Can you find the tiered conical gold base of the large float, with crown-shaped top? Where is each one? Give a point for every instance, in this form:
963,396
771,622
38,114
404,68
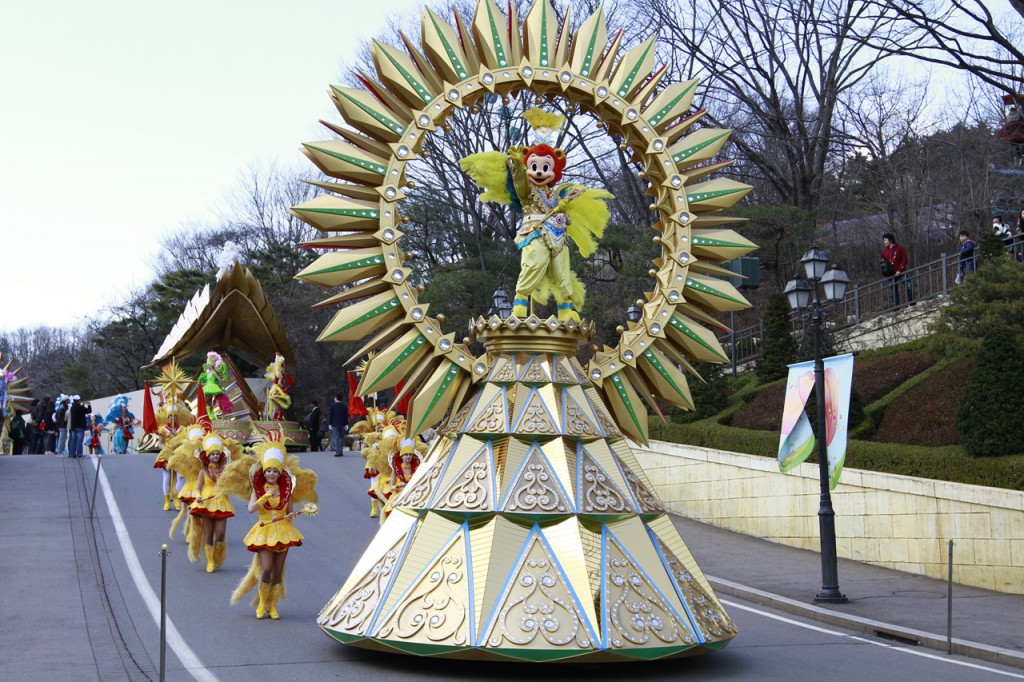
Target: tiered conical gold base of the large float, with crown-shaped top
530,533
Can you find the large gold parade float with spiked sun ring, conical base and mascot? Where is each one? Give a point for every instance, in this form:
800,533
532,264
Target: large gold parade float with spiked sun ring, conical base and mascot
529,532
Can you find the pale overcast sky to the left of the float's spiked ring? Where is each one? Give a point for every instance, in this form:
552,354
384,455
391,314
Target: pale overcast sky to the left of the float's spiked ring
122,120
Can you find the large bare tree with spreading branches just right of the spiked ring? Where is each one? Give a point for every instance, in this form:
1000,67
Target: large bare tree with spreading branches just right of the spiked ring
777,72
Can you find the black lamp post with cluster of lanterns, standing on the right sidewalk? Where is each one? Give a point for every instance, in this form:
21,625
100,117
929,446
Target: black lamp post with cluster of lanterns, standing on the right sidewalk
803,293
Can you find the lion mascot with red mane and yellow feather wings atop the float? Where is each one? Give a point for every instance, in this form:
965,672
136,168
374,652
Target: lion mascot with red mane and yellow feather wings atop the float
528,179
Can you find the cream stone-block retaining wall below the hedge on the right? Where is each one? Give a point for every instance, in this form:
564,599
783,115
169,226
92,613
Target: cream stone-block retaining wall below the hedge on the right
894,522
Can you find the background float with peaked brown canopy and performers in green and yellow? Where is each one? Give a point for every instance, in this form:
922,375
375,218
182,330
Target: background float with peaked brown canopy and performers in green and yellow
236,317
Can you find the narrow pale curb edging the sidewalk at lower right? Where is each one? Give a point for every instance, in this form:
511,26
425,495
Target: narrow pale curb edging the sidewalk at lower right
908,636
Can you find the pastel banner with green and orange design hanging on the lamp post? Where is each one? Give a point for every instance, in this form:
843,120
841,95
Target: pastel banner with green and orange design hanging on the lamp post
797,438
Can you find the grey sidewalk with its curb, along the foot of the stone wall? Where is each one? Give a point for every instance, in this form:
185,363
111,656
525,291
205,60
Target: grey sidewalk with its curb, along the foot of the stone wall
909,609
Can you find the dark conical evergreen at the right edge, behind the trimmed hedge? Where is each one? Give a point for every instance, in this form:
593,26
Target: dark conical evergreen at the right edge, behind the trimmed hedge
987,425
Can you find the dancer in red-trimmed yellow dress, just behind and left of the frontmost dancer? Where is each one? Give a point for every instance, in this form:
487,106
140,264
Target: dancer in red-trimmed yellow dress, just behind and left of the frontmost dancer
211,507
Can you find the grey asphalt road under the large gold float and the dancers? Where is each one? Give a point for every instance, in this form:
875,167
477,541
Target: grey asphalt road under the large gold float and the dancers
211,641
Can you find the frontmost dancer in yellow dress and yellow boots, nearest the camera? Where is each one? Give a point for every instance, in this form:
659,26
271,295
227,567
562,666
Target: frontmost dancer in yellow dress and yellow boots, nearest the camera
277,483
